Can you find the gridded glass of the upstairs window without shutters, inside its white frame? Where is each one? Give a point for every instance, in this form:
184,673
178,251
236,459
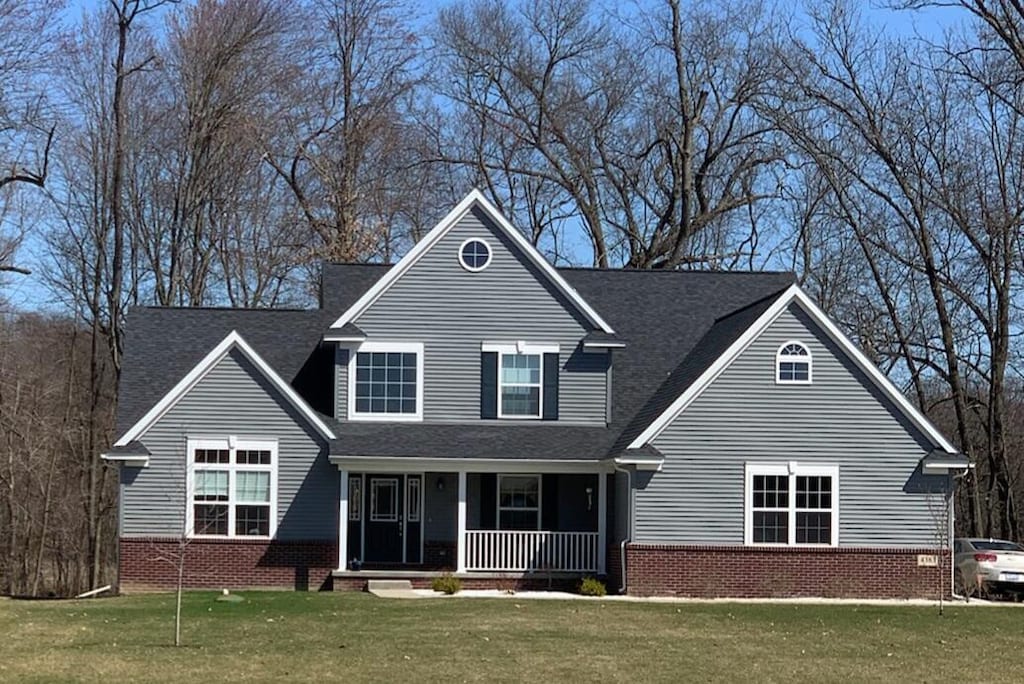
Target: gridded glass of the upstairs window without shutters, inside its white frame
386,382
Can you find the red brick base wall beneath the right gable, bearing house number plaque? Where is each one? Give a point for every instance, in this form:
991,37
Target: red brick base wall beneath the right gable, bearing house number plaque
750,573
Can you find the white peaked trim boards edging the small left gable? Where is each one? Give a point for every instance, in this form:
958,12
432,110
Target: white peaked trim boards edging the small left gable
200,371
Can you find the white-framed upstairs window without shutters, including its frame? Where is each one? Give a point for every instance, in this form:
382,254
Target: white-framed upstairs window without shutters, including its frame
386,381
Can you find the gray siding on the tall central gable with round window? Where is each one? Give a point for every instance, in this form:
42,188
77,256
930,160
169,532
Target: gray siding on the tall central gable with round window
452,312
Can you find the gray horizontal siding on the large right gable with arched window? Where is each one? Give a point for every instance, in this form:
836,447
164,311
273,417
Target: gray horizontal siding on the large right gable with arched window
841,419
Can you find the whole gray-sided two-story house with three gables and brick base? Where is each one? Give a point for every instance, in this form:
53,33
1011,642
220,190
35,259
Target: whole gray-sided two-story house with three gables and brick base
473,408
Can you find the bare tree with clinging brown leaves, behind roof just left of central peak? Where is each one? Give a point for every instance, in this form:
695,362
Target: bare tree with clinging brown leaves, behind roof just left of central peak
346,148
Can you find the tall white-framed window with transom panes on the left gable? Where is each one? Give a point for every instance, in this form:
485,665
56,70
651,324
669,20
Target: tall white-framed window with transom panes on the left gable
233,488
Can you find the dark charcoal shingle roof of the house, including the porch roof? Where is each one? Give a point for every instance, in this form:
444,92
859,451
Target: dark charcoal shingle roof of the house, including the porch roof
674,325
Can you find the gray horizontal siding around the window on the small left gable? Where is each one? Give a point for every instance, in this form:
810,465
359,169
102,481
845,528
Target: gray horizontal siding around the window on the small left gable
233,400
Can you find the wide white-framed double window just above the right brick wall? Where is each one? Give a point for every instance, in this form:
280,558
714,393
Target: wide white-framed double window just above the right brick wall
792,504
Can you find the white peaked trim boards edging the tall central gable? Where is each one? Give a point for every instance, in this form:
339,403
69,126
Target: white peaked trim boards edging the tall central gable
439,232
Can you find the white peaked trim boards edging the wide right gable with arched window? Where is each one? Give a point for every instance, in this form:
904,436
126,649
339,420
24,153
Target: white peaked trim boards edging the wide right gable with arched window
793,294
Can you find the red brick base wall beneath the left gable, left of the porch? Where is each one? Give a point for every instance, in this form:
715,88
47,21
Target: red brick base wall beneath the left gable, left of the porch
227,565
